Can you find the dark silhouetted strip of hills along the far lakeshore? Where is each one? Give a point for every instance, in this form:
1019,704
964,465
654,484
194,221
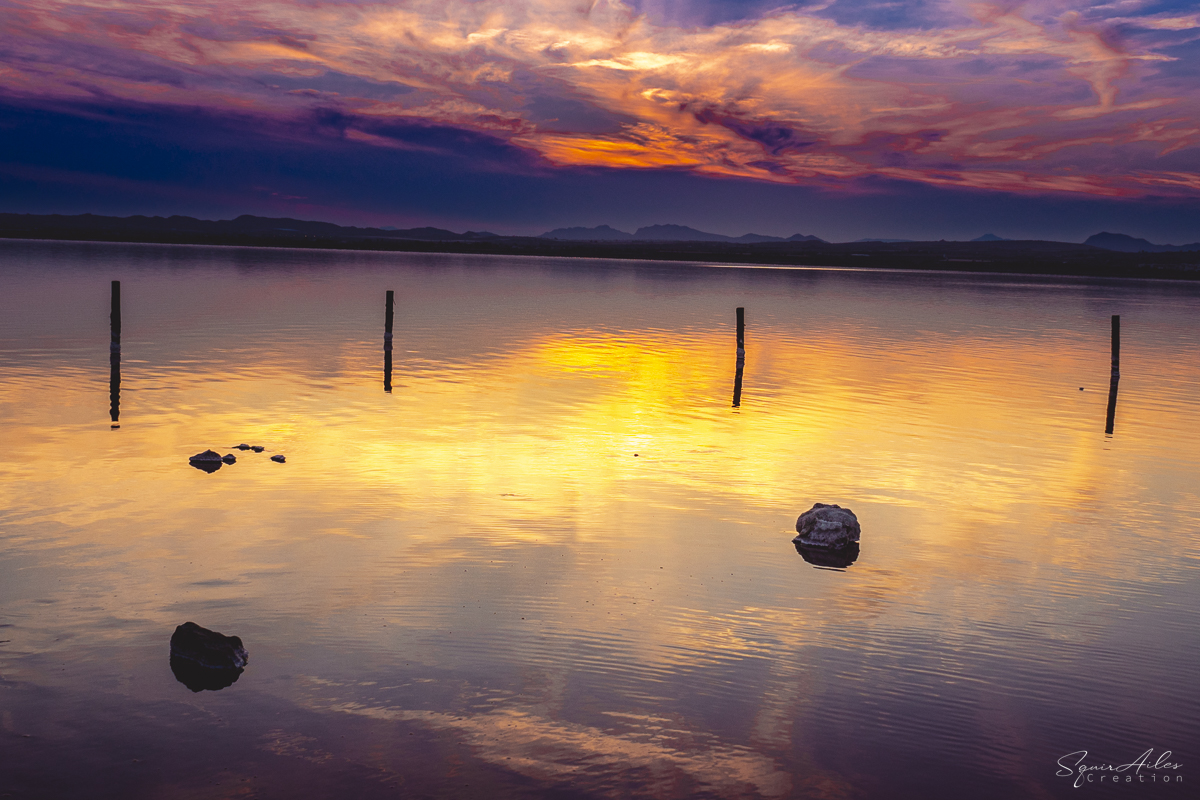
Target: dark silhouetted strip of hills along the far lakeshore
1017,257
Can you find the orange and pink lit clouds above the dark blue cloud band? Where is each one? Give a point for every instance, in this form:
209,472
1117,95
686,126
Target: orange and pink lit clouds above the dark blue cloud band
1031,99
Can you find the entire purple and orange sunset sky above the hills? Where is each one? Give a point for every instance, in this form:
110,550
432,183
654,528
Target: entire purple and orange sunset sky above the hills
927,119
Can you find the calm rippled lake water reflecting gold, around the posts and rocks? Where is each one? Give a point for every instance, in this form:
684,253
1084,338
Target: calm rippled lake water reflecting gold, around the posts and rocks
556,562
